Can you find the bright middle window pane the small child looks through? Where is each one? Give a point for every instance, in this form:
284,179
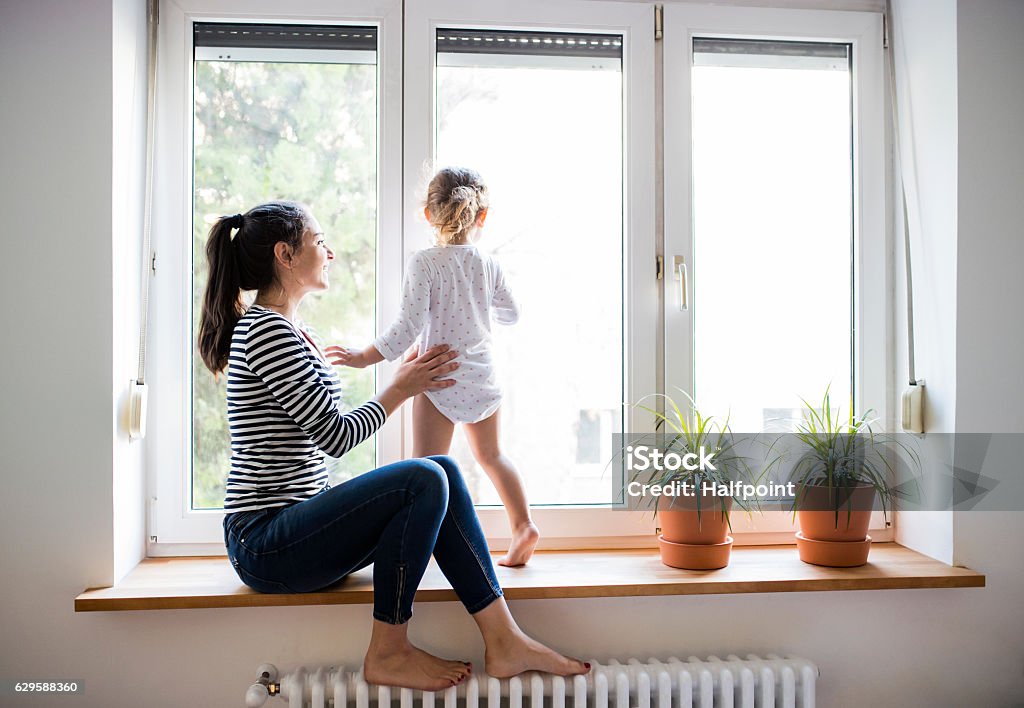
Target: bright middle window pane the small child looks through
546,134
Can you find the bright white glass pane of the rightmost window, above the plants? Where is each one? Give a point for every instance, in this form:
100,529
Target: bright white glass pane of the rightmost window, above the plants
774,232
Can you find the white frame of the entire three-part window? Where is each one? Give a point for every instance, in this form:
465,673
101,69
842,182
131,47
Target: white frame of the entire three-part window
406,65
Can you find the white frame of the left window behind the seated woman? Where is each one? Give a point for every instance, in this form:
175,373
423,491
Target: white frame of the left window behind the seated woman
174,528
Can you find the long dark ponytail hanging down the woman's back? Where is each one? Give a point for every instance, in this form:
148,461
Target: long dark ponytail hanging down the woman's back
223,302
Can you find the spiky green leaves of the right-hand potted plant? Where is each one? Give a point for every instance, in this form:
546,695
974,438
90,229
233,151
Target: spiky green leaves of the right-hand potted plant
844,454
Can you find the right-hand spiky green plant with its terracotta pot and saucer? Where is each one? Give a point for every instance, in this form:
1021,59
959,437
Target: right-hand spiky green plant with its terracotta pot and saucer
844,469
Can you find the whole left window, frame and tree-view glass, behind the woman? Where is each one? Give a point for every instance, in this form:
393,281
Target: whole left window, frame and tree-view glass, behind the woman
298,106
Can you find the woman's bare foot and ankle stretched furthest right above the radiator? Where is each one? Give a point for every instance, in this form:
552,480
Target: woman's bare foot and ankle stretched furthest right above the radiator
509,652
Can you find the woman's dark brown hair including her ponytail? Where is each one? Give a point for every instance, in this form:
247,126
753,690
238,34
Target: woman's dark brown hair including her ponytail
242,263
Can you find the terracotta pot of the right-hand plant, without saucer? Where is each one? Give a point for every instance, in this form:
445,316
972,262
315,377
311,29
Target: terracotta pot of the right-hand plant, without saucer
850,524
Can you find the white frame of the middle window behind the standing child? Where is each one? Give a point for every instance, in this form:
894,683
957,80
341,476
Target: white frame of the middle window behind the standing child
583,526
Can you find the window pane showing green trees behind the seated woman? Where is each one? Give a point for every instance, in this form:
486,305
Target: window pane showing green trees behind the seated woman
308,133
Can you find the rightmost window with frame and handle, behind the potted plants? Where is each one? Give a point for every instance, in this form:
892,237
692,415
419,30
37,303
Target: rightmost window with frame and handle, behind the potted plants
776,209
